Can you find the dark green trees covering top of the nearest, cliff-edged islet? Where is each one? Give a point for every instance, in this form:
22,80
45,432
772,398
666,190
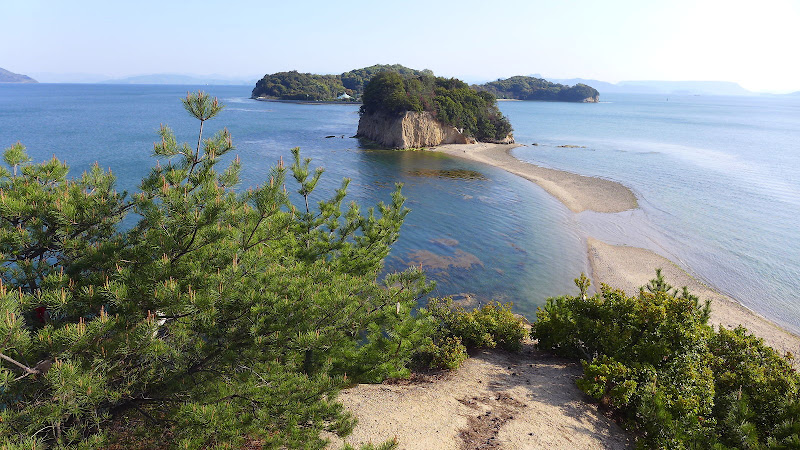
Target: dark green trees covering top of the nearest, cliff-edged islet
450,100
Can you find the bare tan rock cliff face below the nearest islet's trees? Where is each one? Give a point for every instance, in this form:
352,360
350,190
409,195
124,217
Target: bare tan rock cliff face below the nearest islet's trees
409,130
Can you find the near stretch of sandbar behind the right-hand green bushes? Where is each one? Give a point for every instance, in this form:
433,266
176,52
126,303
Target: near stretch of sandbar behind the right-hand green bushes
628,268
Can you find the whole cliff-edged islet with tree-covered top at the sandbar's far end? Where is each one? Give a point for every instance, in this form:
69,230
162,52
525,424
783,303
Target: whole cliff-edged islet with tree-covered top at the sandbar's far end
423,111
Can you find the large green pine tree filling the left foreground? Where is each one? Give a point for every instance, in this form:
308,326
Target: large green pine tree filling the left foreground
220,316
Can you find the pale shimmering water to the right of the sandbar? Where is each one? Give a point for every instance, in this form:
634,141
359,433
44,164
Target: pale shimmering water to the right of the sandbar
717,179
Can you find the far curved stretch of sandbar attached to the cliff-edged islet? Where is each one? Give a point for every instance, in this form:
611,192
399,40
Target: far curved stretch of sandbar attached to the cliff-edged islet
577,192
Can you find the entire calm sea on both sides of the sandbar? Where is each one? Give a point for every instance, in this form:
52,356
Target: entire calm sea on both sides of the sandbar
716,178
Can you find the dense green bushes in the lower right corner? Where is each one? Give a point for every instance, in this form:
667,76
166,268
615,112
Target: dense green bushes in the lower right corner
675,380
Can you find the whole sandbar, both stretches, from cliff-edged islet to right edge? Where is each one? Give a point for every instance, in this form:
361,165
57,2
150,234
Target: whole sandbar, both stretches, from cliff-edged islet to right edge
624,267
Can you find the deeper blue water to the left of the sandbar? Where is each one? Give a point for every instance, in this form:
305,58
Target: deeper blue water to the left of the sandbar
500,238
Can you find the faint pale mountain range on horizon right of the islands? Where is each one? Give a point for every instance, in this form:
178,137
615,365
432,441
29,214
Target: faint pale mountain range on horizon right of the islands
662,87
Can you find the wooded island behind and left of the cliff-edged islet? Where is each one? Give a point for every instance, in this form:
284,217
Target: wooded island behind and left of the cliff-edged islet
311,87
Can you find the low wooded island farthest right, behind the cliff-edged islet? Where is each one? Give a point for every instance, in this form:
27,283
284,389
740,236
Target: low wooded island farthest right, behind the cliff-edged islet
530,88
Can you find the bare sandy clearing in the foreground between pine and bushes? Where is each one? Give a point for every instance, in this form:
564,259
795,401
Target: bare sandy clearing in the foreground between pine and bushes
495,400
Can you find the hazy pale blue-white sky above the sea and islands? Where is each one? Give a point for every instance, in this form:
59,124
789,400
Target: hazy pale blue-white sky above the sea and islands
752,43
